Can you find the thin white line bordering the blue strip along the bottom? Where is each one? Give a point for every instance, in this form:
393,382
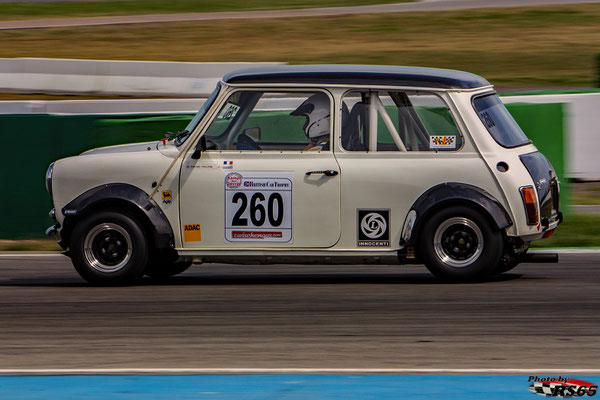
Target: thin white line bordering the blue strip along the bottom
109,371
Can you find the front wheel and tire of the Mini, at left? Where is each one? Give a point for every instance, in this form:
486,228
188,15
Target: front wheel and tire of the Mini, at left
109,248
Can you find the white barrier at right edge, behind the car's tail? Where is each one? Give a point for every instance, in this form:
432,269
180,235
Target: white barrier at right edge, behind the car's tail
582,119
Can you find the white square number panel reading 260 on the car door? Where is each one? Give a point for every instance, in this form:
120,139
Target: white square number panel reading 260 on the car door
258,207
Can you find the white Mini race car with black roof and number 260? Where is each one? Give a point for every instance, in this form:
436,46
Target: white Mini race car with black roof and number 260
315,164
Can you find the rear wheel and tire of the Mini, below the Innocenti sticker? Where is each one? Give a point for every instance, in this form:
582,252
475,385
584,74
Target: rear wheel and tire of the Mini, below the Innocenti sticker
459,243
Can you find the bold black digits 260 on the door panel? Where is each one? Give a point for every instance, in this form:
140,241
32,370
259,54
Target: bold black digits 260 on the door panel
258,213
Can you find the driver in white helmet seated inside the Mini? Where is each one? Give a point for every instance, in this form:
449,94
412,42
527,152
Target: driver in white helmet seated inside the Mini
316,110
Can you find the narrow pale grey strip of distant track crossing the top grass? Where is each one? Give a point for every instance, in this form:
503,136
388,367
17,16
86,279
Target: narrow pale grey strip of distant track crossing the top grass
427,5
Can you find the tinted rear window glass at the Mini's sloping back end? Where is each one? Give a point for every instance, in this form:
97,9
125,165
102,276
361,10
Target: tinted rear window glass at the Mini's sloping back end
498,121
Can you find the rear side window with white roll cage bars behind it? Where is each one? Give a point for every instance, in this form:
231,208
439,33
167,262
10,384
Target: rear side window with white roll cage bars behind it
397,121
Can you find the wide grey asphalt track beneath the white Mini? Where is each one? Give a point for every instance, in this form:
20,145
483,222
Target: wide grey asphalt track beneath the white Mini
542,316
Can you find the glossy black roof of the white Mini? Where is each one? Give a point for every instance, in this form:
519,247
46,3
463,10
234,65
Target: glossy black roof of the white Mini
358,75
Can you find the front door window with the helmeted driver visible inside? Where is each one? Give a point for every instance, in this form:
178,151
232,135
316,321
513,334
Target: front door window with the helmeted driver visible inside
254,120
